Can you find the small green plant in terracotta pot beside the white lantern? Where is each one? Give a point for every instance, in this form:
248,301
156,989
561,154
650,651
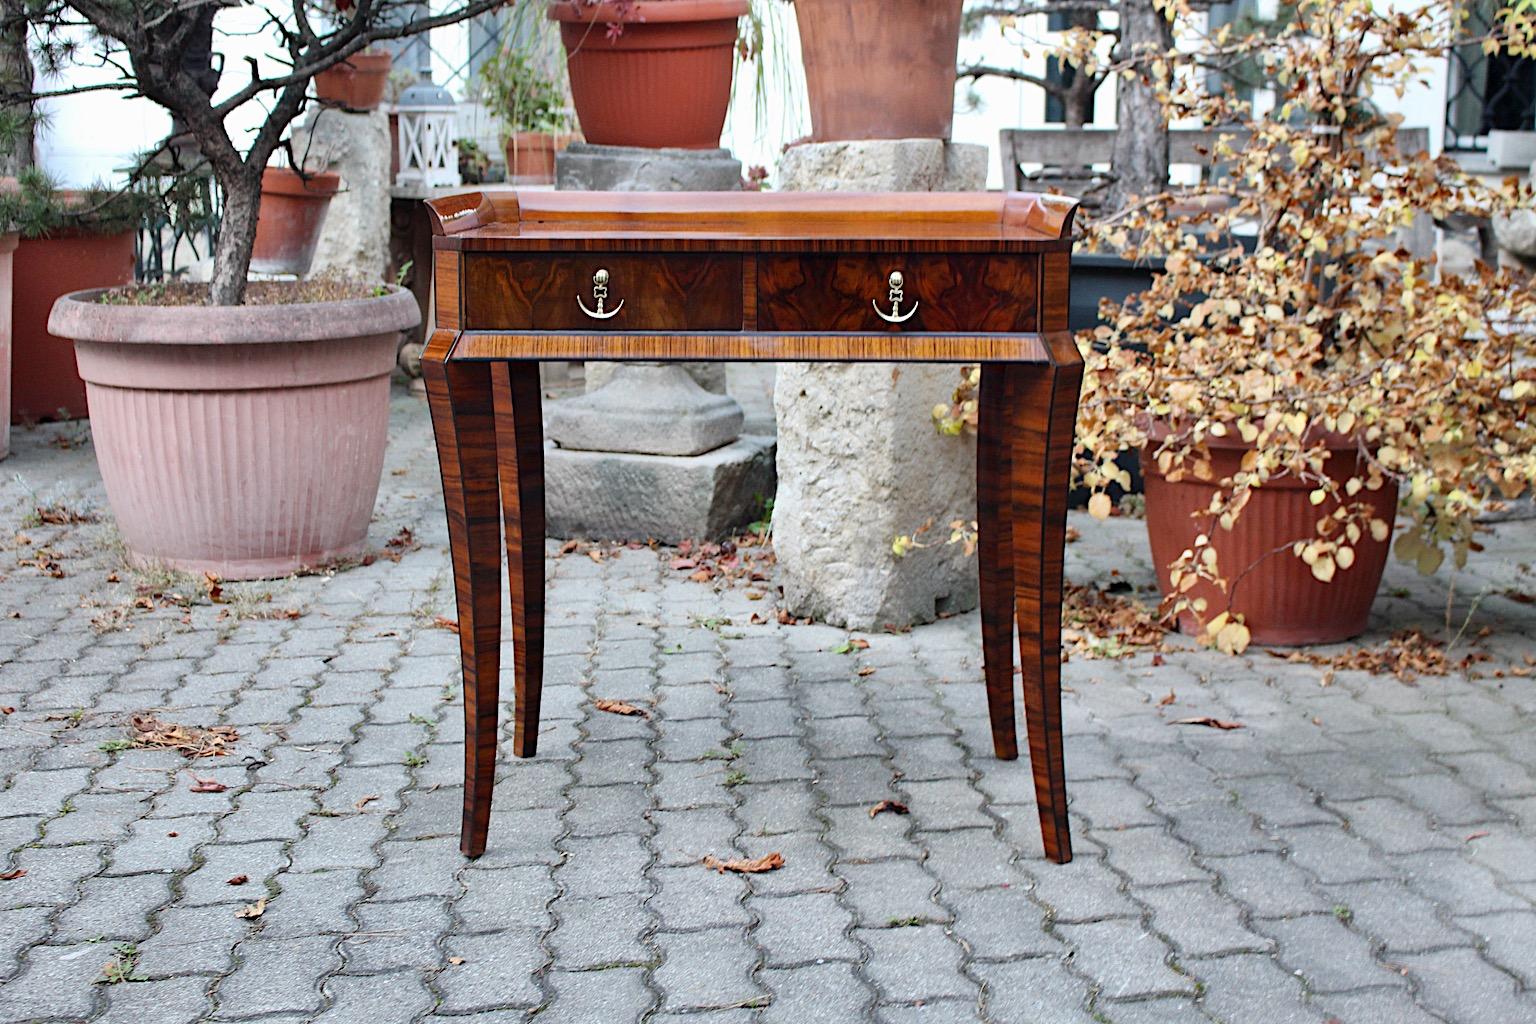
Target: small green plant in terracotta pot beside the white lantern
532,111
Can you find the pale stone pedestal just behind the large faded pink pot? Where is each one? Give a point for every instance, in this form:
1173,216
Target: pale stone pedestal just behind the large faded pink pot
356,237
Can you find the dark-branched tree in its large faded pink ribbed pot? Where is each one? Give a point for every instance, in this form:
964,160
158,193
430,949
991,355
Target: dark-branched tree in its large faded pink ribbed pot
240,428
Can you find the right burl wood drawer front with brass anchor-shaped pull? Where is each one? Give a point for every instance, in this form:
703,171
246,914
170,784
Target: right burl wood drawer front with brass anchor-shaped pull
861,292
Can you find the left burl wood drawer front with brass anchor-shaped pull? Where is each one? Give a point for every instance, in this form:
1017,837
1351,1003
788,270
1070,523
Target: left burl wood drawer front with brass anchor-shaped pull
603,292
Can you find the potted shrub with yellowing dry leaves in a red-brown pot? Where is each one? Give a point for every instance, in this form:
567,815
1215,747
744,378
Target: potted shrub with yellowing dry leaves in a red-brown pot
1288,394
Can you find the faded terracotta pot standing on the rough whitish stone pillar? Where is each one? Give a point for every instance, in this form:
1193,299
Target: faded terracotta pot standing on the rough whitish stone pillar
879,68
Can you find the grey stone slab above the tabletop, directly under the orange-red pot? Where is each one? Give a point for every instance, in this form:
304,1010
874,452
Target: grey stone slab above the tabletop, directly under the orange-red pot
589,168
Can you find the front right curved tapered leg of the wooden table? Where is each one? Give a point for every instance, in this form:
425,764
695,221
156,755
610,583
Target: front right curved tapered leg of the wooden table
1045,418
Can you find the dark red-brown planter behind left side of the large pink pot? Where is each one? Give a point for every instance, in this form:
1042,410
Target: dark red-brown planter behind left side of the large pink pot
44,378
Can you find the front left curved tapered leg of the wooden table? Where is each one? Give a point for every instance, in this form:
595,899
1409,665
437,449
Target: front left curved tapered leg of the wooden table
463,420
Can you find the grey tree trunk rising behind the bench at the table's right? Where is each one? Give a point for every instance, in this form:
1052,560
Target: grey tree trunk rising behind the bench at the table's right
1140,154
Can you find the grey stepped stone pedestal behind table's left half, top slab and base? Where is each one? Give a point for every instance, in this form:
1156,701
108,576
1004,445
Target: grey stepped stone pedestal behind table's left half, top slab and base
649,452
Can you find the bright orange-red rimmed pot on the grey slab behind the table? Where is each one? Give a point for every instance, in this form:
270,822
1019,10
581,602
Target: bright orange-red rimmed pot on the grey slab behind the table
664,82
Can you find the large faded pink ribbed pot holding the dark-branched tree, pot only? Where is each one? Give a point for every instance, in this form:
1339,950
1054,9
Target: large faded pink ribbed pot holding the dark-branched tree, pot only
243,441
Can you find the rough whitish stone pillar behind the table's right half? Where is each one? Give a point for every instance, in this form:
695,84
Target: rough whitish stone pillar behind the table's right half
859,460
